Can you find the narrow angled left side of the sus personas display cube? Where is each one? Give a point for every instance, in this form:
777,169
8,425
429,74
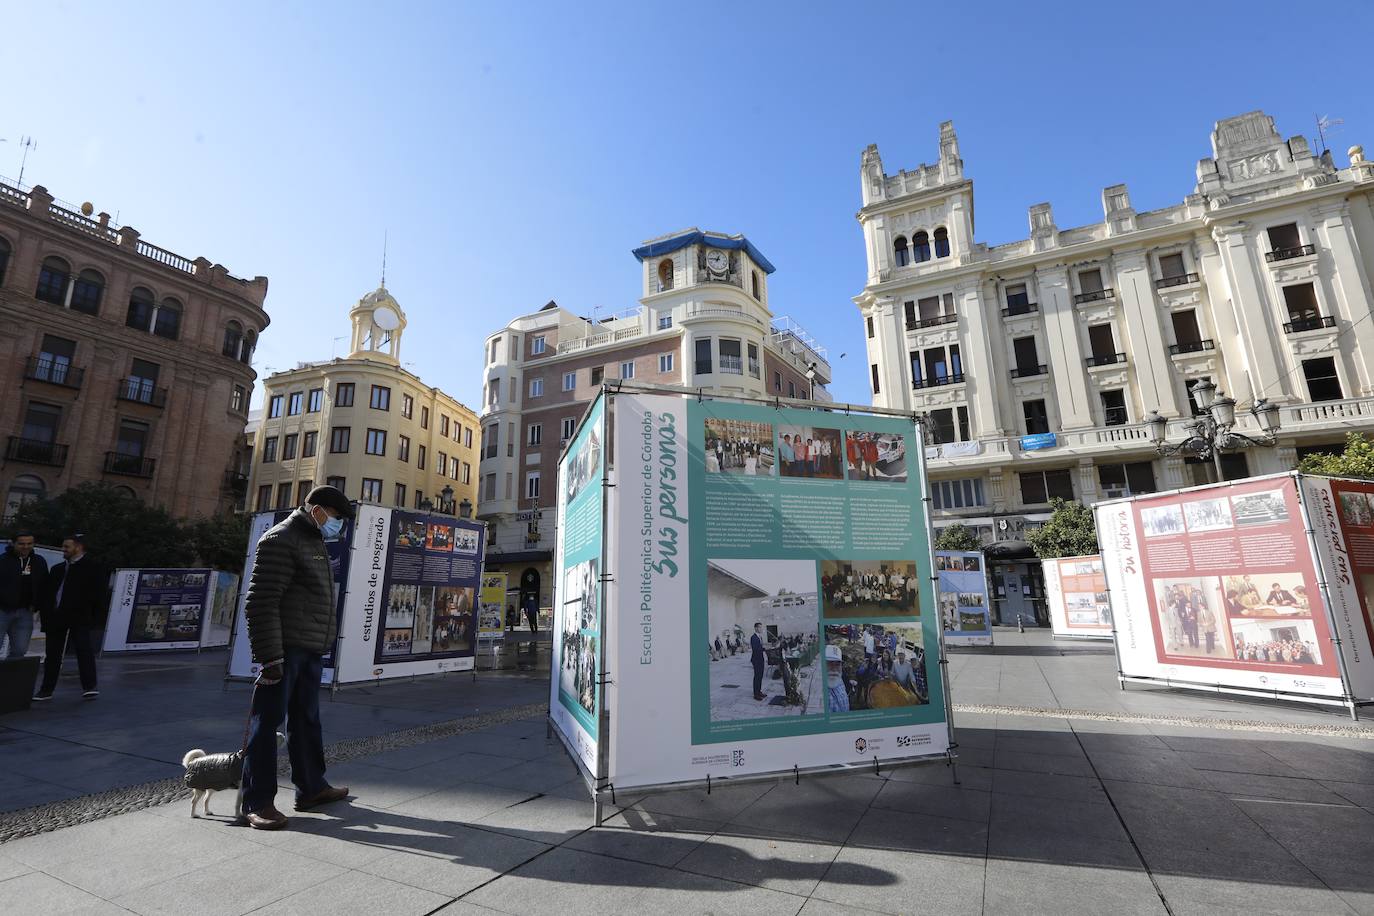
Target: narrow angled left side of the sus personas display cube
575,701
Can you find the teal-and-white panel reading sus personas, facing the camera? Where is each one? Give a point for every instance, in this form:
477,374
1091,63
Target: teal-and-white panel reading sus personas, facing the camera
773,605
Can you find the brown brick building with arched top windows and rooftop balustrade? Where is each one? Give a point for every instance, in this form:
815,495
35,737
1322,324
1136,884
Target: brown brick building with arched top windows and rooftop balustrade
122,362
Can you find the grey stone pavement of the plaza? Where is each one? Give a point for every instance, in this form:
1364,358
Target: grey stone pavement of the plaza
1089,801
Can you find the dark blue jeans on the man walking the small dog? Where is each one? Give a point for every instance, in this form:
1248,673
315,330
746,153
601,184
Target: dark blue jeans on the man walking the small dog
296,700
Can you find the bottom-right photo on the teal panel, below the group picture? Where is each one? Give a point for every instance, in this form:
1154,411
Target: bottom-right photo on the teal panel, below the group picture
875,667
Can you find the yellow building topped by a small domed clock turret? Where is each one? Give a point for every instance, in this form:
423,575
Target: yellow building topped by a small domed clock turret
365,425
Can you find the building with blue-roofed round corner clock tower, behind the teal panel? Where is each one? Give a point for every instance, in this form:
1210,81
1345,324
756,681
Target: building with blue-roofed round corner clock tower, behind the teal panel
704,321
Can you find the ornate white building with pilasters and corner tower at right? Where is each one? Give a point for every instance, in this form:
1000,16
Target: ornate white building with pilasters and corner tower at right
1038,360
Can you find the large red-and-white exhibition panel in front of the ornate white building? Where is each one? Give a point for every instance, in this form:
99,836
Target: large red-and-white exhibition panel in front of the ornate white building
1221,586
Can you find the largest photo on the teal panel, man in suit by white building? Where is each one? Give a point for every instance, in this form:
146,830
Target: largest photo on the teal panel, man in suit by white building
769,616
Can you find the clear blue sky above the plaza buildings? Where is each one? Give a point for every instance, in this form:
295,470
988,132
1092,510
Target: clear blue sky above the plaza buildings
517,153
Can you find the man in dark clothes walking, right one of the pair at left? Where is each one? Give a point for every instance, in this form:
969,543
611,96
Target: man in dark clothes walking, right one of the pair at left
72,613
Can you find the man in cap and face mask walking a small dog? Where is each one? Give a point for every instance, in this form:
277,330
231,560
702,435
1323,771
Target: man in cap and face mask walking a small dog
292,626
